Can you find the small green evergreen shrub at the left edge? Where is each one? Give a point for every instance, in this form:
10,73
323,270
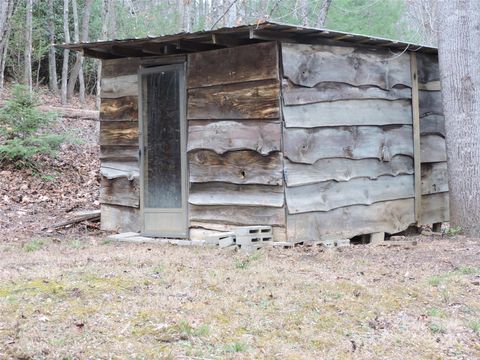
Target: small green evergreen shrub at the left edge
24,130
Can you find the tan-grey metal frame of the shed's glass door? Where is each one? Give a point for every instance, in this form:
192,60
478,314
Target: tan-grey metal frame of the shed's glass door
151,69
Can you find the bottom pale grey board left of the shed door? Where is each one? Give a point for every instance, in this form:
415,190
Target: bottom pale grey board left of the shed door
119,218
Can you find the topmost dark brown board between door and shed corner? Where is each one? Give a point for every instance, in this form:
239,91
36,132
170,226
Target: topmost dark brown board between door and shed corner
232,65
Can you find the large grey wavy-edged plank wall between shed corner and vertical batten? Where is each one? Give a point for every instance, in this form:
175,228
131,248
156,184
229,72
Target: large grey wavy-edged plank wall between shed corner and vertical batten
348,141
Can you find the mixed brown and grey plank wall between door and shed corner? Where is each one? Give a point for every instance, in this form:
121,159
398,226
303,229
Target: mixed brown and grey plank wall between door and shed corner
234,139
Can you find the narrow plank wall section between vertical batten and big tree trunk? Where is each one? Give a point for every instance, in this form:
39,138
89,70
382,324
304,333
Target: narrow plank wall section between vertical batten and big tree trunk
434,177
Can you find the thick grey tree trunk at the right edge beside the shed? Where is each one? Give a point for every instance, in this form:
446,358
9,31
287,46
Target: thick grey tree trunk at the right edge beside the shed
459,56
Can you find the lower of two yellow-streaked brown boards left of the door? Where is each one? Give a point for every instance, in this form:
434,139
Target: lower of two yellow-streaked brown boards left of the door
118,133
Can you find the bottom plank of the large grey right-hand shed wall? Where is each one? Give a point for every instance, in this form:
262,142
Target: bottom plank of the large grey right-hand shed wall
344,223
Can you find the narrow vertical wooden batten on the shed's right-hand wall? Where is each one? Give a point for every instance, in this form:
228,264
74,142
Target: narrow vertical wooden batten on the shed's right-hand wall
416,137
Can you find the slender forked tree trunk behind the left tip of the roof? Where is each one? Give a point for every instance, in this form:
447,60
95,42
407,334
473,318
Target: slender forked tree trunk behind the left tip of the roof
77,70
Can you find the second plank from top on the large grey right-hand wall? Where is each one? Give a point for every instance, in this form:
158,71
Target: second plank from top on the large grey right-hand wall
334,91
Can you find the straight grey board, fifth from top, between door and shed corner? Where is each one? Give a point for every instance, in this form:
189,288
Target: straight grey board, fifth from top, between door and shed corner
232,194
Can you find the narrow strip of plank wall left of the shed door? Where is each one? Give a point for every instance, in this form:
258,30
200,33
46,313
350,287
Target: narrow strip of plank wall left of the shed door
119,144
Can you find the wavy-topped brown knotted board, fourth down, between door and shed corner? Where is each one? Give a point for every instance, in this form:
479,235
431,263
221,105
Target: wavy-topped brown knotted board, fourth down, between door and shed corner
237,167
